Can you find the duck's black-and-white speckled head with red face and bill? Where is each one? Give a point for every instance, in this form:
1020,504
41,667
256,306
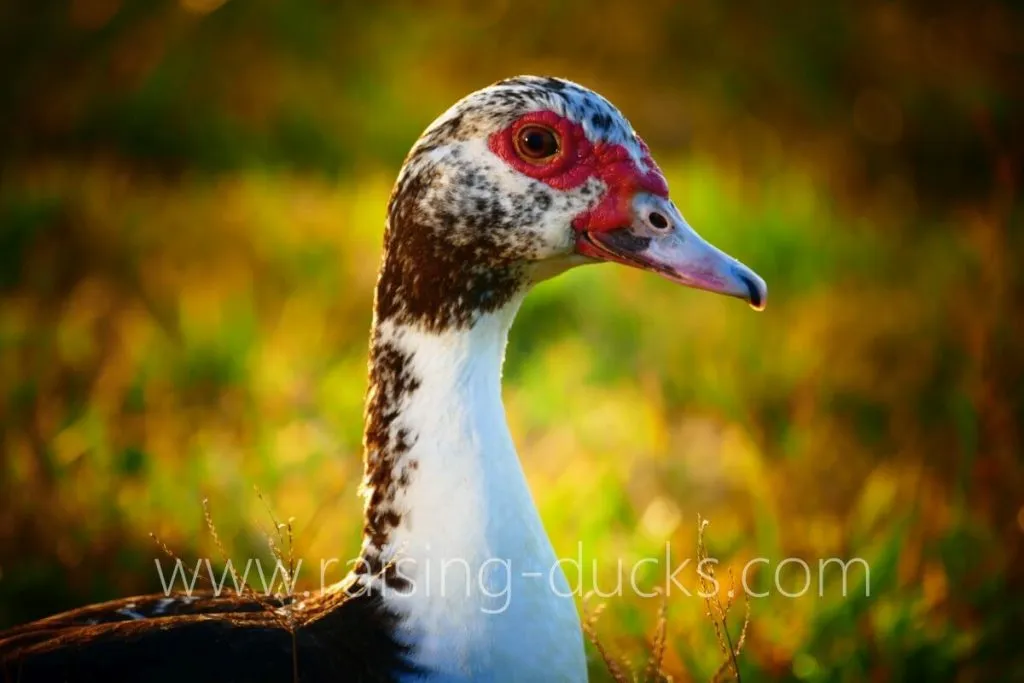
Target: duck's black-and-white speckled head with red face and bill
522,181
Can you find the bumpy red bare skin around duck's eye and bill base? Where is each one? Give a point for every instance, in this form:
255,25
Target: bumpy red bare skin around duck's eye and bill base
577,161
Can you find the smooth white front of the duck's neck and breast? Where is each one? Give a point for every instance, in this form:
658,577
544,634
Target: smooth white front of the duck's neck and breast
487,600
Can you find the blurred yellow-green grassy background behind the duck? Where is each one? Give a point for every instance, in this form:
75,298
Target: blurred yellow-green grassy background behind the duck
192,205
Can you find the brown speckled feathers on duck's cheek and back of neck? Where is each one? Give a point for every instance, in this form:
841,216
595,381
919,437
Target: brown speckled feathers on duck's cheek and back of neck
452,254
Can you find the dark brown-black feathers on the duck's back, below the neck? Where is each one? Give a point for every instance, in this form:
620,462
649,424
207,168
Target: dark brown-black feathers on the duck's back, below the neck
231,639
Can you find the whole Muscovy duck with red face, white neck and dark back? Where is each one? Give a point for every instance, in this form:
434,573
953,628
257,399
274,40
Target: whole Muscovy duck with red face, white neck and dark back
456,580
